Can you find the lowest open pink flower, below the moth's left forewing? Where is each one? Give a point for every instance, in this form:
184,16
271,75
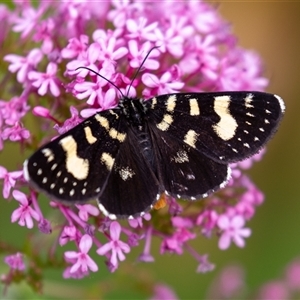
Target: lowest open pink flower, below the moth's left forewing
82,261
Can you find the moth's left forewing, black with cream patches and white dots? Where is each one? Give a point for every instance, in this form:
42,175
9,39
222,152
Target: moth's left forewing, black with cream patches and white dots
75,166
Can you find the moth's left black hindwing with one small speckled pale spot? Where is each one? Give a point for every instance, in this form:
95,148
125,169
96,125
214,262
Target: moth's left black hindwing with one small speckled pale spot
132,187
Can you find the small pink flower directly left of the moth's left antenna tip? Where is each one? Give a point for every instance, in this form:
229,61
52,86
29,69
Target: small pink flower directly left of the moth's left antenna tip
45,81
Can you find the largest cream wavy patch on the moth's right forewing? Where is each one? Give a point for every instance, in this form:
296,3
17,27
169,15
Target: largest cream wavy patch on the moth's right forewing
226,127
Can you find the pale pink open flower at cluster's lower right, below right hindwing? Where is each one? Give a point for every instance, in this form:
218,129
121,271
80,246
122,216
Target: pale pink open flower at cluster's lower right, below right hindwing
232,230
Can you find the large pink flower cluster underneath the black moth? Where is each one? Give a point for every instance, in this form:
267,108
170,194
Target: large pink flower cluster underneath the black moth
197,52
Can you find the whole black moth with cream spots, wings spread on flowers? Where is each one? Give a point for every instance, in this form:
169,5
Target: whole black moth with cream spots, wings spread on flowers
178,144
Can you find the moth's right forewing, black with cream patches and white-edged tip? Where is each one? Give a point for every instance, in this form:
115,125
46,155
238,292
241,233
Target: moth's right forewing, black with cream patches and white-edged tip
225,126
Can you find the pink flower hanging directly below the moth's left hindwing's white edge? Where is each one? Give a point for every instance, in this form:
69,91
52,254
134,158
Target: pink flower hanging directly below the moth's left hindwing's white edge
116,246
